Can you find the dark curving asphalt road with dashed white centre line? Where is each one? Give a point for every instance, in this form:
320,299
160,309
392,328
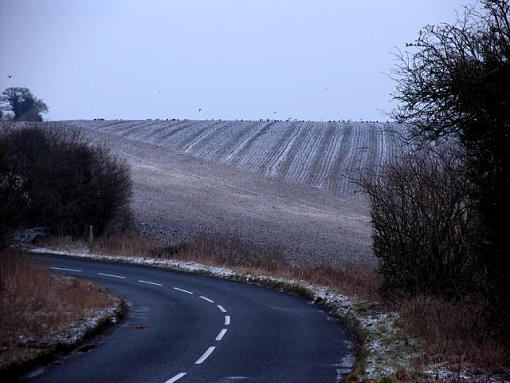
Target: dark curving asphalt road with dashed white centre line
190,328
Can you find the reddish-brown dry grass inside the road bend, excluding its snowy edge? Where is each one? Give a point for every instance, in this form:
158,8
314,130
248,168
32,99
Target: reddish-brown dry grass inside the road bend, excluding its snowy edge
36,304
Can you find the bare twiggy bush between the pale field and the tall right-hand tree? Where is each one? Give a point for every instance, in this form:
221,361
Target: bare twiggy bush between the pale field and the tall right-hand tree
424,225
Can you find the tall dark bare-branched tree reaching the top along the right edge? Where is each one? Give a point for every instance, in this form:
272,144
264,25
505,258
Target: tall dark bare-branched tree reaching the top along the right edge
455,81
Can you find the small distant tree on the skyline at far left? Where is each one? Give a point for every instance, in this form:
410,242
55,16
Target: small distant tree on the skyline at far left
23,104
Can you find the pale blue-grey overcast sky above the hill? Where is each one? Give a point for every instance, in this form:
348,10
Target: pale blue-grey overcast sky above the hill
314,59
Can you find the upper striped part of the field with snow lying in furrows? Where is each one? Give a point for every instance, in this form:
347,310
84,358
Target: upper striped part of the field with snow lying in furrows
324,155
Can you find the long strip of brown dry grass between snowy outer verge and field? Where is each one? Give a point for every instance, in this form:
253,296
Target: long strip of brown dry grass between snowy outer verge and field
352,278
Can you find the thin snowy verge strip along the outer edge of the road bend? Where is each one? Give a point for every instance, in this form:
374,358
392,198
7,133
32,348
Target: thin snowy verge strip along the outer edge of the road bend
386,348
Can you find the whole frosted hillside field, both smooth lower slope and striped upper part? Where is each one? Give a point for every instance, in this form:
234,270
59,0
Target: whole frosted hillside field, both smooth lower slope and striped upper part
284,184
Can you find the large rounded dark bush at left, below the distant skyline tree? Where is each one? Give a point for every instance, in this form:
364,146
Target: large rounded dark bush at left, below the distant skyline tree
68,183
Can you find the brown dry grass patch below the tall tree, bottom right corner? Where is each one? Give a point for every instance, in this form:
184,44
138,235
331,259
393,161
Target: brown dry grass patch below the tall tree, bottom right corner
456,333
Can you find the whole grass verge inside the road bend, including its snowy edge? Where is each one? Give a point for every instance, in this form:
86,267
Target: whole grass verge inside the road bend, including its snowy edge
44,313
